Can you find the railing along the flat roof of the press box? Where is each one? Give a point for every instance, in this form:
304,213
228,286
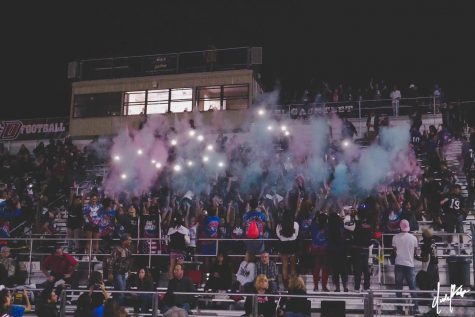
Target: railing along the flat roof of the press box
162,64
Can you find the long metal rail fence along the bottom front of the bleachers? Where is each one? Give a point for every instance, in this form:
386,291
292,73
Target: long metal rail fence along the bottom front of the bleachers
368,303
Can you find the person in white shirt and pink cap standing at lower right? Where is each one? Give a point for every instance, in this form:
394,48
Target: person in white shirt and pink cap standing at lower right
405,247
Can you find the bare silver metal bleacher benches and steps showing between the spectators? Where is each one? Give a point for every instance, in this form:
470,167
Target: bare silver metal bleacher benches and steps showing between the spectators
382,279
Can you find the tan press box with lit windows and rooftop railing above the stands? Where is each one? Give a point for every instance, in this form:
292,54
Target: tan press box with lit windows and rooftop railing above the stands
111,94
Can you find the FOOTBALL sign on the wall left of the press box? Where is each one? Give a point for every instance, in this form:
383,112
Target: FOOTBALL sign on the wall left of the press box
33,129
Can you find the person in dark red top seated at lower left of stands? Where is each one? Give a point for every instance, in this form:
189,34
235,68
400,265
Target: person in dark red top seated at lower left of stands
60,266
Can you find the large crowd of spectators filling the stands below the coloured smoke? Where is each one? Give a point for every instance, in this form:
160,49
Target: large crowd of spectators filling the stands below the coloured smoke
306,224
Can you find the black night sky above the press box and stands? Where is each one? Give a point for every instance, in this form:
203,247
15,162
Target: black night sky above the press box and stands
424,41
